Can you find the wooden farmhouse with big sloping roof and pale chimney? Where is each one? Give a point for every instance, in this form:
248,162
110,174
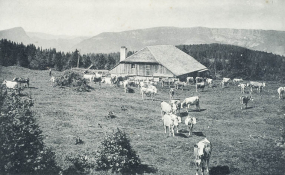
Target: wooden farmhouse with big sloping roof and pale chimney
158,61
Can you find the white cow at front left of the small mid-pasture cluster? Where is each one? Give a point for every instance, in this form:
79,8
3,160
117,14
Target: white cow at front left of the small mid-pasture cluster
171,121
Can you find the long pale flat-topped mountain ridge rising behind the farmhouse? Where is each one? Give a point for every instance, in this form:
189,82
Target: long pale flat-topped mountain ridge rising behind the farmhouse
261,40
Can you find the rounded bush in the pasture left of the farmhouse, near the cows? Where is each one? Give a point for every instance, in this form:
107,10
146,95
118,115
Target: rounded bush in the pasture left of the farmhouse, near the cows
73,80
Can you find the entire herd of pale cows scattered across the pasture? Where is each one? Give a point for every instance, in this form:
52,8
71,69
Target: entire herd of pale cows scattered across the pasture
170,112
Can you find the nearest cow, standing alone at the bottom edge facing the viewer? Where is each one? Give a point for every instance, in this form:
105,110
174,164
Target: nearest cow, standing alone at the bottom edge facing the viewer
202,154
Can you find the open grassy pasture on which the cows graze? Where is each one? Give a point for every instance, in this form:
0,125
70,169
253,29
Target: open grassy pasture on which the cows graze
243,140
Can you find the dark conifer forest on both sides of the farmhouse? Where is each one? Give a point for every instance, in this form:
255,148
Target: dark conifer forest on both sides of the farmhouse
222,60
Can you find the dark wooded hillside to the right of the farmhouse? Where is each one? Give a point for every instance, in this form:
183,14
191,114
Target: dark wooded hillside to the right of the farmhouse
234,61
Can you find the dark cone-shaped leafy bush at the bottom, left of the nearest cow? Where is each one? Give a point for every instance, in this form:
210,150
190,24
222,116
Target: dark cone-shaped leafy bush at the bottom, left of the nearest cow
117,155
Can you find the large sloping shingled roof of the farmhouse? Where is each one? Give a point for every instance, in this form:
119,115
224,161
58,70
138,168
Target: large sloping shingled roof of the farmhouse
175,60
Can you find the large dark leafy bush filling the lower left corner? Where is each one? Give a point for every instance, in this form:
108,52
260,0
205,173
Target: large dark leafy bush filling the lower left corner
22,149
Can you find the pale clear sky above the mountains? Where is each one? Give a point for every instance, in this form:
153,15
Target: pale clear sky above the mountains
92,17
